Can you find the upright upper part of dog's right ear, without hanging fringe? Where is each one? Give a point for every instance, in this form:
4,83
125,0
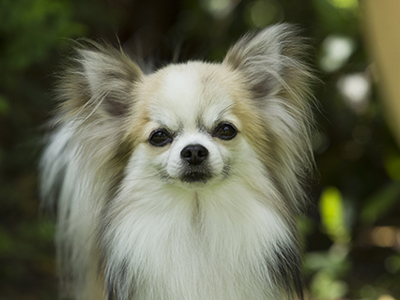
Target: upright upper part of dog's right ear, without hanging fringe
272,61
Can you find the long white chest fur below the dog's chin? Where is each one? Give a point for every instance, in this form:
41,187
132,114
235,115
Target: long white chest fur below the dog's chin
214,244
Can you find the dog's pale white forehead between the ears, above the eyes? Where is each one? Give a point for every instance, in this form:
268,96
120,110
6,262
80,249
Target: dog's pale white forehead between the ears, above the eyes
190,95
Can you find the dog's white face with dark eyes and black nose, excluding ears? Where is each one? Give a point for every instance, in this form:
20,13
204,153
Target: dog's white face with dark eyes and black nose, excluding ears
191,134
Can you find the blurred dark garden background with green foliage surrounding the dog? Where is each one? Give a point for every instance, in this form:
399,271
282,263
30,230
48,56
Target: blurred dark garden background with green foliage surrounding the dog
352,228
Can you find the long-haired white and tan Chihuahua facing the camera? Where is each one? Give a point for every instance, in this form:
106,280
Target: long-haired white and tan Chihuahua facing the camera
184,183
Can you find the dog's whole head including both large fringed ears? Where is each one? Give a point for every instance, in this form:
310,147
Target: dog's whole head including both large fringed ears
197,124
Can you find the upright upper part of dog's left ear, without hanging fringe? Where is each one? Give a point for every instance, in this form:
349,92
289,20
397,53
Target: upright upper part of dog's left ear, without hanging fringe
99,81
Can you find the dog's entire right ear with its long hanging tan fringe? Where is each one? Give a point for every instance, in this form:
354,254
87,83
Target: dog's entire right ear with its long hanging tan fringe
272,64
